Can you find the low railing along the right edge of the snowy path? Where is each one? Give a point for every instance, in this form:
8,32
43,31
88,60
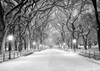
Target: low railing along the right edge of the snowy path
90,54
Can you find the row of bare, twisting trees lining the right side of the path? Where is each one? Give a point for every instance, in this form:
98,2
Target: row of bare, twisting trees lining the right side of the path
80,21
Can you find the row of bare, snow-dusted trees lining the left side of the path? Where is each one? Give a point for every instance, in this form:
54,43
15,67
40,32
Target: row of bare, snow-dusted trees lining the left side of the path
18,20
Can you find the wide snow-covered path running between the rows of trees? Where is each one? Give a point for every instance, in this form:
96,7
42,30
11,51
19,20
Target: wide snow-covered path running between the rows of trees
51,60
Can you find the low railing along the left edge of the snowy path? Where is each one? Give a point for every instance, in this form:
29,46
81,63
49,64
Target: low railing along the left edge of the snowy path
14,55
